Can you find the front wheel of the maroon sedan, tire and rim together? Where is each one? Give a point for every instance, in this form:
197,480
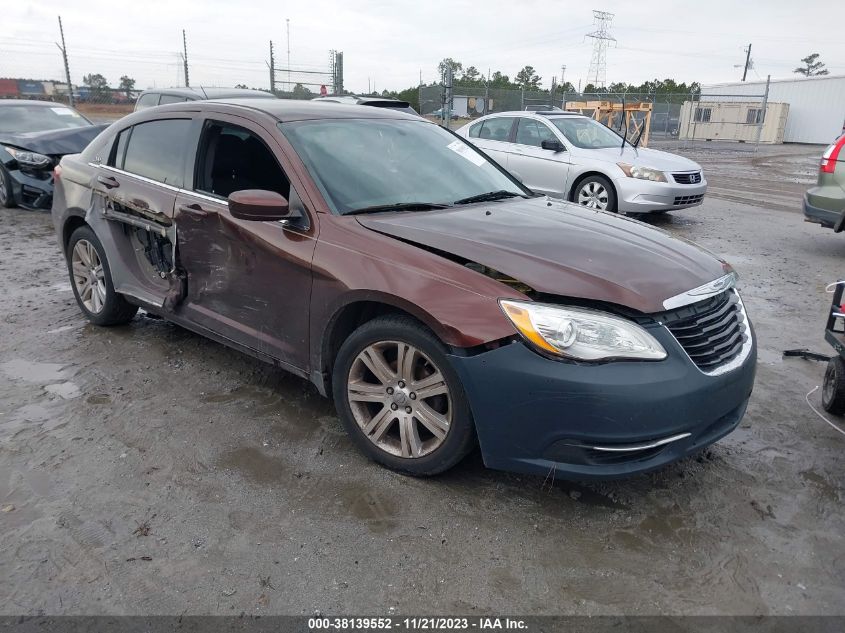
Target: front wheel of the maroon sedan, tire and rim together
399,398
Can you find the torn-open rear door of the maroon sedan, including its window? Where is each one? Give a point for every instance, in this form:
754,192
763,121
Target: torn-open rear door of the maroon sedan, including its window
134,195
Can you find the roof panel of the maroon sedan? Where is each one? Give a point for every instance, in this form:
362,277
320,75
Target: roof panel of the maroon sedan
296,110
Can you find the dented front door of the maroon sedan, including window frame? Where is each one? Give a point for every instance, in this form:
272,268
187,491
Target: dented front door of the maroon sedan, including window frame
248,280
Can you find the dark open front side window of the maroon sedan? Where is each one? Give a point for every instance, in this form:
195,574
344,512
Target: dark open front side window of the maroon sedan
232,158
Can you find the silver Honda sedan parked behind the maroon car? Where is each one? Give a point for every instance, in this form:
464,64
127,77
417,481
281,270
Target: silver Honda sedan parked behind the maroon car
571,156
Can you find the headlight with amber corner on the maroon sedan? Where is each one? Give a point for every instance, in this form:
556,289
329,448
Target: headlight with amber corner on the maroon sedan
581,334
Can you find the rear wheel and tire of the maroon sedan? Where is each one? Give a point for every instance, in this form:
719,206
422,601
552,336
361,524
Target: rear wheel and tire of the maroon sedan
90,278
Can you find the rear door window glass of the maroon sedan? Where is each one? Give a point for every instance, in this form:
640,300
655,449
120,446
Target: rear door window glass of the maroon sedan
157,150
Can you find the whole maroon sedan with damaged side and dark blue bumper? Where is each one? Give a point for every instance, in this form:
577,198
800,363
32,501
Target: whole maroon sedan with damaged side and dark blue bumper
437,300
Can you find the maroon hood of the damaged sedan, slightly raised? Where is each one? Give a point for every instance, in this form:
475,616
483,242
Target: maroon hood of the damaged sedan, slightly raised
561,249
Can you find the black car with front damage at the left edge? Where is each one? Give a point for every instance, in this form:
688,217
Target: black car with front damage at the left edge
34,135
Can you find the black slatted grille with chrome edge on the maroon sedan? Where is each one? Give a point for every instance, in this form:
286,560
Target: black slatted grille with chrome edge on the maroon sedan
711,331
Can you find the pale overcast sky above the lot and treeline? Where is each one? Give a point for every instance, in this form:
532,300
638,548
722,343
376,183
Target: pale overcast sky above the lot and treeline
389,44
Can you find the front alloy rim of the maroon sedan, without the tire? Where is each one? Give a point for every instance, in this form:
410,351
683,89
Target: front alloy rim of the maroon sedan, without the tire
399,399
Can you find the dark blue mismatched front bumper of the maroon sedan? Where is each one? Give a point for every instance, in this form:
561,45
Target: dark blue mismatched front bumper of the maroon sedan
536,415
